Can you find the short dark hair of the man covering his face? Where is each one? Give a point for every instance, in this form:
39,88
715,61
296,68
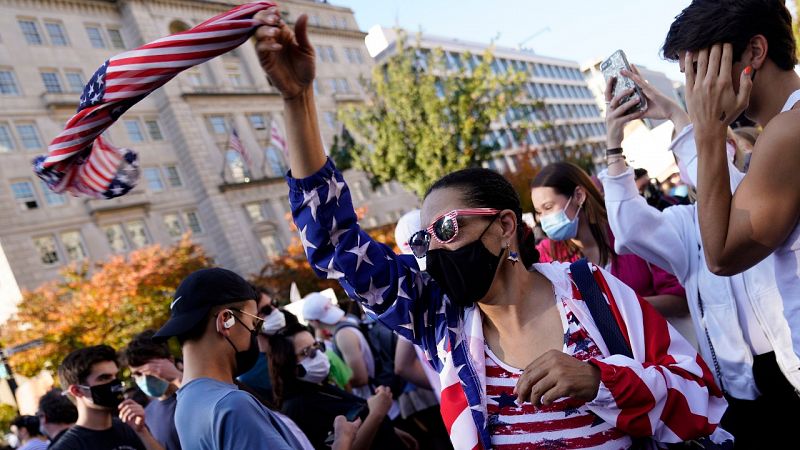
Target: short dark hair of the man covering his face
707,22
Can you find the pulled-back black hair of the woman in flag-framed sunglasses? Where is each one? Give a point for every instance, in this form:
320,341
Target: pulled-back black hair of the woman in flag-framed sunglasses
484,188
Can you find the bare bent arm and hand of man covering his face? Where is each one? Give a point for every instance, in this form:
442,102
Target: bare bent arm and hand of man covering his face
742,229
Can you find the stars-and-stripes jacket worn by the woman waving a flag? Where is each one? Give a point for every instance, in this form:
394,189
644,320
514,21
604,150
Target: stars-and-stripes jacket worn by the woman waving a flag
666,392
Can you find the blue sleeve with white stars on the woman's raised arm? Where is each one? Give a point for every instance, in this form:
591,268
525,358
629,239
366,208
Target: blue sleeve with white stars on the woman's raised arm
388,285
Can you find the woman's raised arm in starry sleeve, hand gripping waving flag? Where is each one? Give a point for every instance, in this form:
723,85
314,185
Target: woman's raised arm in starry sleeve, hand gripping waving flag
388,285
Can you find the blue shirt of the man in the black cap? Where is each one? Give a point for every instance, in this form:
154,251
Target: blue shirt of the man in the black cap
212,415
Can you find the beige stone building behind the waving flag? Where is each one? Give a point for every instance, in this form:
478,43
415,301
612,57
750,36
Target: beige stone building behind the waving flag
190,179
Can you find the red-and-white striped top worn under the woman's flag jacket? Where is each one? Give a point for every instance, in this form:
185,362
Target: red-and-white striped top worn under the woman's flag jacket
566,423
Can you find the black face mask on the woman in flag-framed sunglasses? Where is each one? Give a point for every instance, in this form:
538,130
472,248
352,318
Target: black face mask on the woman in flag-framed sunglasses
466,274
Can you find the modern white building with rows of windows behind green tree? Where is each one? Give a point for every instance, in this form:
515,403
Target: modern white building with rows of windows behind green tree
558,101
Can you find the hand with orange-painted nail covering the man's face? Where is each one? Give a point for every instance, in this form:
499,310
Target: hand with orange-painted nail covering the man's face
713,103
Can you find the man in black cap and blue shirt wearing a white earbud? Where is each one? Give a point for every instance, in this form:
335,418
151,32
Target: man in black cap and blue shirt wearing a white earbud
214,317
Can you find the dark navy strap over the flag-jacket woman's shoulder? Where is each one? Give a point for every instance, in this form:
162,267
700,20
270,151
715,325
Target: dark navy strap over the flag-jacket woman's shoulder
601,312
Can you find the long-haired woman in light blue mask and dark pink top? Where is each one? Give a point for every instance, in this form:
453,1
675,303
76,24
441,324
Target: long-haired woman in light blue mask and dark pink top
572,213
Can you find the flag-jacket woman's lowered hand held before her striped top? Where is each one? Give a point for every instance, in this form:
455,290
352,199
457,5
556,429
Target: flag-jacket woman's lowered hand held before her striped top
555,375
